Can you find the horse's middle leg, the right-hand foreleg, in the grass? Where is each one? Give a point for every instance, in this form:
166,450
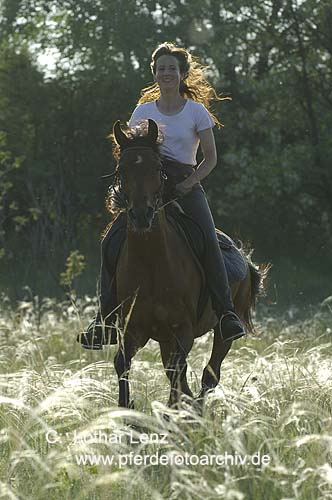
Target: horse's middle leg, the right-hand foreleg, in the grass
174,357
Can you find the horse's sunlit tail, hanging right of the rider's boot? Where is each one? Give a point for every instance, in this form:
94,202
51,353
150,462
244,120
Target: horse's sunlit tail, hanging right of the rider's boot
258,279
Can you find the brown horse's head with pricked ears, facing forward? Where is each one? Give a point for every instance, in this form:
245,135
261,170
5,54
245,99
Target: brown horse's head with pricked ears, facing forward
140,175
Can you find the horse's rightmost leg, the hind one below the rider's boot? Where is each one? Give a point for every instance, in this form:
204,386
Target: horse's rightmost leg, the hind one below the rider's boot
211,373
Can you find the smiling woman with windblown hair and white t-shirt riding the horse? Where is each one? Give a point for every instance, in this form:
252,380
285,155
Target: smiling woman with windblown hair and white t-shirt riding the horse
179,101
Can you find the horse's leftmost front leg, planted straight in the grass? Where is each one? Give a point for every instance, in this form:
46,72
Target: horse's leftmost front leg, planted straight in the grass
122,363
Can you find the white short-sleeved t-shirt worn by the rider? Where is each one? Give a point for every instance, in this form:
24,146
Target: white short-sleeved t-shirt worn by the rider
181,139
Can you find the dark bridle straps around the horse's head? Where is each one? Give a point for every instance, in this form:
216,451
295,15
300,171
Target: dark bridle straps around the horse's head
115,187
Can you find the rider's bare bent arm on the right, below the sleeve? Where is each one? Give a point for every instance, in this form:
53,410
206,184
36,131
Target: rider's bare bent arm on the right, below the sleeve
208,163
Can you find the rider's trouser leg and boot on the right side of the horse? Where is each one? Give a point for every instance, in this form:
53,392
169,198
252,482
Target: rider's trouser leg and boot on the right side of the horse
196,206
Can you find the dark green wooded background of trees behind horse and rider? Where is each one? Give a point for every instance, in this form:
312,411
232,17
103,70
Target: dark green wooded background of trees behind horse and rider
273,183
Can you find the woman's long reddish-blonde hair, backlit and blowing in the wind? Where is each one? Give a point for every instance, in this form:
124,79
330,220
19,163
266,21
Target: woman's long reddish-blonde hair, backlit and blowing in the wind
193,85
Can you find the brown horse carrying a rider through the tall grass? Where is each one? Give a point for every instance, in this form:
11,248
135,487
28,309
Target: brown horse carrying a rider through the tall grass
157,269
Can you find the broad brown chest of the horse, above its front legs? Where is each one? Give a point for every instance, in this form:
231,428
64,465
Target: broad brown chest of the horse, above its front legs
166,287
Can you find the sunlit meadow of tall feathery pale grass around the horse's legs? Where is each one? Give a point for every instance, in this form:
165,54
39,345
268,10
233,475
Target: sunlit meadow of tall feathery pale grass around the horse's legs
58,413
